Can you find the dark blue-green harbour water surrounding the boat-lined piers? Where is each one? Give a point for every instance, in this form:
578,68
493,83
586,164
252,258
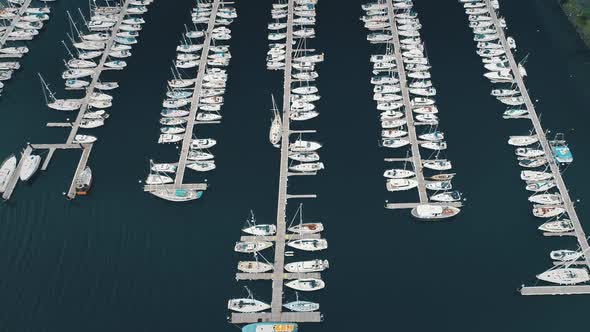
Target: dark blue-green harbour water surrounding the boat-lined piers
121,260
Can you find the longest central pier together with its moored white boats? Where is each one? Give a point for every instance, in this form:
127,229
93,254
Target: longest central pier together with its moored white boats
291,30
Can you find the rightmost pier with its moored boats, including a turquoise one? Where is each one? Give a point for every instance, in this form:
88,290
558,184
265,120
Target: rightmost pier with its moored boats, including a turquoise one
539,156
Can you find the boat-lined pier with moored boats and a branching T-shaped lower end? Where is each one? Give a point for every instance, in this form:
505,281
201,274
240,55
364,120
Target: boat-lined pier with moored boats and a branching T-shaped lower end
107,39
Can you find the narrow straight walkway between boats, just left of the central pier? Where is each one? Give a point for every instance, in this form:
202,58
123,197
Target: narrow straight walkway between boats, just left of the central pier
195,100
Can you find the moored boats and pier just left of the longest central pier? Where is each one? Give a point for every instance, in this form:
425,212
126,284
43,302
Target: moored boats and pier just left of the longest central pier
194,97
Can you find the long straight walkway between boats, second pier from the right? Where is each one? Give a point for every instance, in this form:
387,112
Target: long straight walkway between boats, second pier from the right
403,82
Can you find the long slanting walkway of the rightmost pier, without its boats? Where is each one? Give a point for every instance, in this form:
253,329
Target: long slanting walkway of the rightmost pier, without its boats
567,201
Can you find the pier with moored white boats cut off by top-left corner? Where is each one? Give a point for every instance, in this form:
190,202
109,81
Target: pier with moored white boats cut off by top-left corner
19,22
